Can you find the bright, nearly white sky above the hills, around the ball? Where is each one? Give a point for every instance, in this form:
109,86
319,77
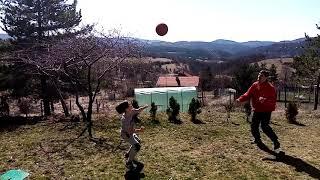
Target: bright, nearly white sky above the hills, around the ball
206,20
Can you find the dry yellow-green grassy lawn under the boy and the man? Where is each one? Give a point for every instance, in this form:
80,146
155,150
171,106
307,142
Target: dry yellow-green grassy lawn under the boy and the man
215,150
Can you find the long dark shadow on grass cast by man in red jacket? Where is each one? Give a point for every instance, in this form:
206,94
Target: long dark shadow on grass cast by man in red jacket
299,164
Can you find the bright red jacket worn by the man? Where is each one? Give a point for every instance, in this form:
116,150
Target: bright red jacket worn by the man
265,90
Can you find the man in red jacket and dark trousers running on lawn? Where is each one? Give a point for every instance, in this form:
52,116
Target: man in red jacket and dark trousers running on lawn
263,97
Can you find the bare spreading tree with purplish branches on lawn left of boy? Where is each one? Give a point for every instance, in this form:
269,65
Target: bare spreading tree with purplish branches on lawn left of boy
83,62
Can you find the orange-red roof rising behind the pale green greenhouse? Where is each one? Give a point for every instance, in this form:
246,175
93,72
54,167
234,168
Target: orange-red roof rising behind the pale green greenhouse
165,81
